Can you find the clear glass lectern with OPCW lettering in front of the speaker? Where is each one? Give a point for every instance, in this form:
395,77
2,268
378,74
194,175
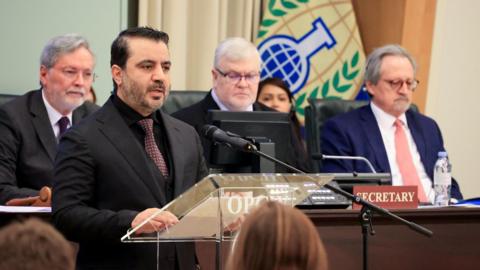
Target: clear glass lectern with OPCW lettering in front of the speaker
212,208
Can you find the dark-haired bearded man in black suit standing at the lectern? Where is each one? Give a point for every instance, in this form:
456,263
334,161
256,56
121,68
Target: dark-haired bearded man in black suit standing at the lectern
126,161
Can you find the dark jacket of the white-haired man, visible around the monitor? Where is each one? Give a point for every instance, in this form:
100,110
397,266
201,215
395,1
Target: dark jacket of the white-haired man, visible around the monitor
196,116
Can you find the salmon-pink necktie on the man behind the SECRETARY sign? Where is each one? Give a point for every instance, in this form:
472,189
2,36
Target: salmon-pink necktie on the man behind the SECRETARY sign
405,161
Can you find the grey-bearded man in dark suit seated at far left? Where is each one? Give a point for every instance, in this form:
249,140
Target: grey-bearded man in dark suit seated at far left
30,125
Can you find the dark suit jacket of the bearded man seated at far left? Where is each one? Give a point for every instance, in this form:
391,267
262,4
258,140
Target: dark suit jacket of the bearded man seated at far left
28,145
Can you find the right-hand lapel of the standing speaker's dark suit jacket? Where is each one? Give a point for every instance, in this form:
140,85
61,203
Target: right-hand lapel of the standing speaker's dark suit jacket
174,142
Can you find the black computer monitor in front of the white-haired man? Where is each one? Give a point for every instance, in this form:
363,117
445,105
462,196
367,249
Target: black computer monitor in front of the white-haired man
260,125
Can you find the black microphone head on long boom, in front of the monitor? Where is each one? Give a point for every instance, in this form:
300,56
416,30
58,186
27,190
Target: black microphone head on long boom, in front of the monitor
232,140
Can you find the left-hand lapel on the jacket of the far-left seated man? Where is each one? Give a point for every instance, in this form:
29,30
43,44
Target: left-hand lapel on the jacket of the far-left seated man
42,125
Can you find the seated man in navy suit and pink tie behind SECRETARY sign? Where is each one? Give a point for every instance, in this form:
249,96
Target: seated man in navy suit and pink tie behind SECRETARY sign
386,132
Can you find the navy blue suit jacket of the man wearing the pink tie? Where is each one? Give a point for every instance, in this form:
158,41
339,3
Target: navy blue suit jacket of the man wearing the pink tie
356,133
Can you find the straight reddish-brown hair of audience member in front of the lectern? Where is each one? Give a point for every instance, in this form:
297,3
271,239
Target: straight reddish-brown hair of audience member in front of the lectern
277,237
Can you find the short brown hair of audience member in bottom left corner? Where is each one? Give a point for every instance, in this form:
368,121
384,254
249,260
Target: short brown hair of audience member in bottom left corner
34,245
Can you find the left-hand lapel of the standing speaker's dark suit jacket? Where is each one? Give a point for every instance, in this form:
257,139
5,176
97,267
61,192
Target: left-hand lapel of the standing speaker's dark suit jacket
121,137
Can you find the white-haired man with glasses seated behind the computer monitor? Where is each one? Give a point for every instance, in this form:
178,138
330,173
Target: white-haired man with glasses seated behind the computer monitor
235,77
